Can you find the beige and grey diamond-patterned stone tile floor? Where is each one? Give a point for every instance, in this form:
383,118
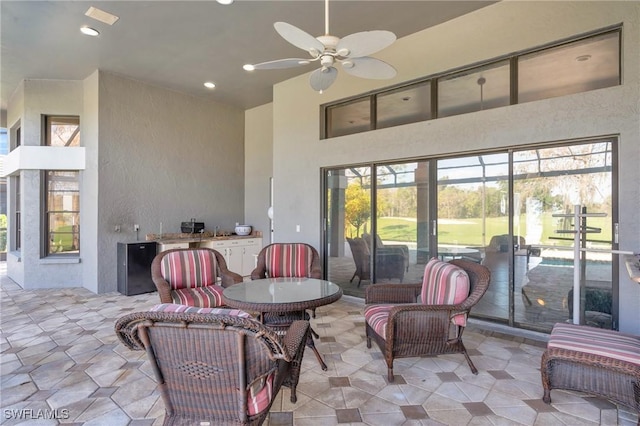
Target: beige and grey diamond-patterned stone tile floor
60,358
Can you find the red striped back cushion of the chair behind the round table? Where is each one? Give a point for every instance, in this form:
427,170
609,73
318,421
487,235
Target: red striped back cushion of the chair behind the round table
288,260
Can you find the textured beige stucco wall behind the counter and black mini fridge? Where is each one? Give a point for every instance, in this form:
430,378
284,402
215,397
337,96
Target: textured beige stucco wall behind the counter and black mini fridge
163,157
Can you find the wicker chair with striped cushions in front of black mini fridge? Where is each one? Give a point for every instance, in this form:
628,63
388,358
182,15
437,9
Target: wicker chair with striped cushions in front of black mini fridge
192,277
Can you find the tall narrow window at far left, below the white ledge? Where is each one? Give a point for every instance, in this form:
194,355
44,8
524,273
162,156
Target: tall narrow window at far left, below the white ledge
62,212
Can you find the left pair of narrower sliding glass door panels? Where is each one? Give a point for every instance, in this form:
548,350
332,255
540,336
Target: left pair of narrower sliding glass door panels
377,224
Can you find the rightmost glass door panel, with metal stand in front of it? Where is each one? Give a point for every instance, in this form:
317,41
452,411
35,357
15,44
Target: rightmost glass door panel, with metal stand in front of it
549,183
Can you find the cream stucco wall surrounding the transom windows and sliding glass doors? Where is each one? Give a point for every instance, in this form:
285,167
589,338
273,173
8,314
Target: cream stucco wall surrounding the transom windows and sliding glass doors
497,30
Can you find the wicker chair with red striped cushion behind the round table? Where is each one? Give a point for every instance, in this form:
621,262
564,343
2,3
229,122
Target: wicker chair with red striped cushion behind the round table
286,260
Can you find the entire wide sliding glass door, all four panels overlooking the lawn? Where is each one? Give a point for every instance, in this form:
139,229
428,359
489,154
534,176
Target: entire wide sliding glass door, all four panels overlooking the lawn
512,211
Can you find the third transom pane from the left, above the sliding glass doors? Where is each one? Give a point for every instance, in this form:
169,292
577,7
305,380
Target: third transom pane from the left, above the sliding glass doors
474,90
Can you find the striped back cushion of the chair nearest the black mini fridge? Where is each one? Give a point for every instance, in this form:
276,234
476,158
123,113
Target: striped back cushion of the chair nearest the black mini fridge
189,268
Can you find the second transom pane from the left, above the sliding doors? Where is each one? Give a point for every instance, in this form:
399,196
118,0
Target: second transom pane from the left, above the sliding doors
403,106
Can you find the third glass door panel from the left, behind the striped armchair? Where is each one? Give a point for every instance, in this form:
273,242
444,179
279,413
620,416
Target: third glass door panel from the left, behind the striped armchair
473,222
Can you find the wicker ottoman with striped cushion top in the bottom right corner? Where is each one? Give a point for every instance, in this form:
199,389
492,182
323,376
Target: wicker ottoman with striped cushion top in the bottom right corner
601,362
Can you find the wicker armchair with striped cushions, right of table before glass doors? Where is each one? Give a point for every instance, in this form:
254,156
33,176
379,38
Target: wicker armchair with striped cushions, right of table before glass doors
404,327
